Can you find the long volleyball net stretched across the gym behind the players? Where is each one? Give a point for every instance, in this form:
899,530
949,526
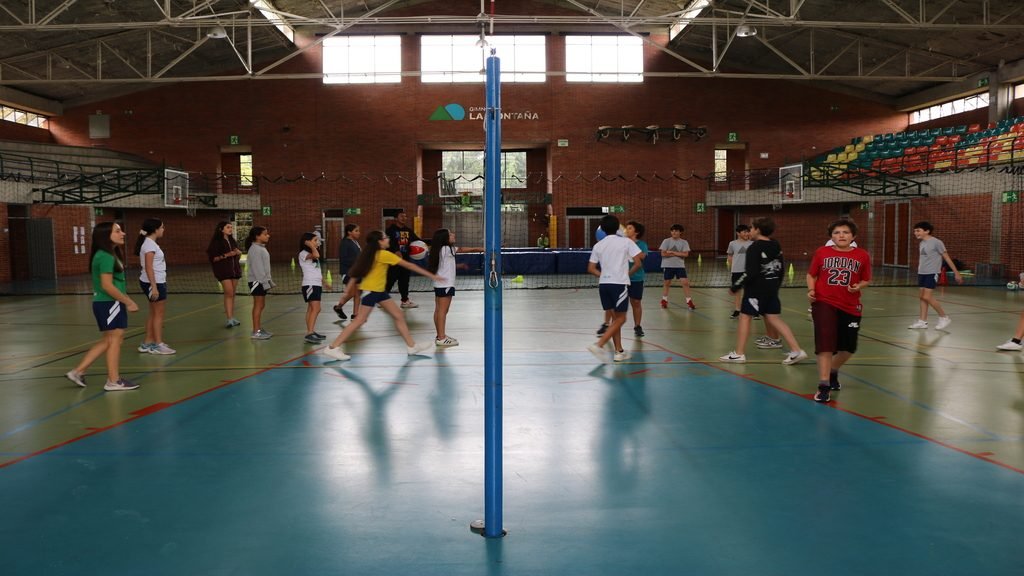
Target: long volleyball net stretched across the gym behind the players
550,223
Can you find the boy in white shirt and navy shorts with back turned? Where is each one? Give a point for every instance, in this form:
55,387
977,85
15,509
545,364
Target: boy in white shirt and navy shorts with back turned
619,258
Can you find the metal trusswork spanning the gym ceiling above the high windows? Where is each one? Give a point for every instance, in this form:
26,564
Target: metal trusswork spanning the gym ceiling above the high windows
844,47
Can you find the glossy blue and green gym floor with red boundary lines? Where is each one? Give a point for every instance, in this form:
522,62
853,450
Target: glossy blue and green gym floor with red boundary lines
668,465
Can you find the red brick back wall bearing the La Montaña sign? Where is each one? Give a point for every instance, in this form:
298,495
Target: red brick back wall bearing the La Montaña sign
304,128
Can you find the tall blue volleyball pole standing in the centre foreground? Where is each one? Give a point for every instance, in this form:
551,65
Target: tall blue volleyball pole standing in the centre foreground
493,305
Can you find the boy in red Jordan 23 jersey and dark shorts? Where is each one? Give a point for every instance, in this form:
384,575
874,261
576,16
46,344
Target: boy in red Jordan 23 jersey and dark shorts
835,280
